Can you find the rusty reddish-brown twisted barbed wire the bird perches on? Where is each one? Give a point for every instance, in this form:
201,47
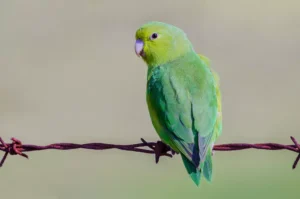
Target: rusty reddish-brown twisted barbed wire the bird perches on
158,148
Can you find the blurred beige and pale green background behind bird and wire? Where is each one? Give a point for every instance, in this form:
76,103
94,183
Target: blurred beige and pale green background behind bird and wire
68,73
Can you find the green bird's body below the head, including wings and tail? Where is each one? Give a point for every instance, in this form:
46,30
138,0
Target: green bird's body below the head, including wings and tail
184,100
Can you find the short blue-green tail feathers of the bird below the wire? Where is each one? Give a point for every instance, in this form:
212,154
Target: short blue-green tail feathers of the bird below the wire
195,173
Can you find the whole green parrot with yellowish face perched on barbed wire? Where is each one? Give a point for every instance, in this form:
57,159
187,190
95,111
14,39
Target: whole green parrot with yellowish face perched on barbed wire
183,95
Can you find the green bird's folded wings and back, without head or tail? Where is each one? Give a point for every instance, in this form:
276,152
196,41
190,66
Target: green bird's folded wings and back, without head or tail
186,107
